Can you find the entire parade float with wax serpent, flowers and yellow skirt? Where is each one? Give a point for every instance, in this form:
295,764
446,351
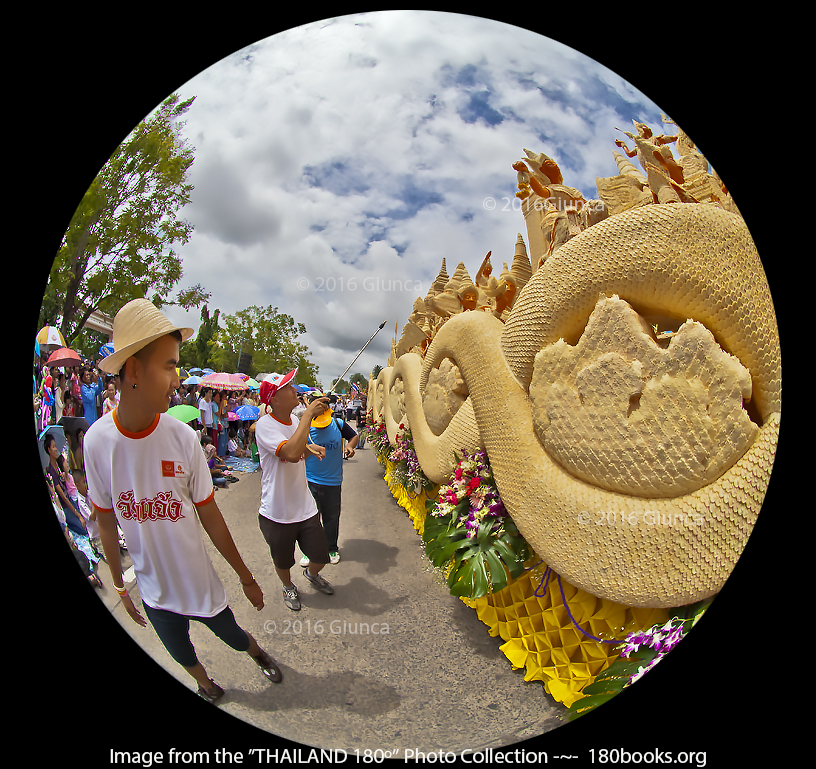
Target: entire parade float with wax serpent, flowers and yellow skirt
585,441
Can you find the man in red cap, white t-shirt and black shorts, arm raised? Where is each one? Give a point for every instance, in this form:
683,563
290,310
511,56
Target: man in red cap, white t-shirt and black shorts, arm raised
288,513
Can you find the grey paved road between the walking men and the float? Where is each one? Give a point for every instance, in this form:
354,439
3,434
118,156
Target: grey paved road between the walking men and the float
391,661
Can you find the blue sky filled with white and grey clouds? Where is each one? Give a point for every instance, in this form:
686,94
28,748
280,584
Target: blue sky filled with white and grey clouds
337,163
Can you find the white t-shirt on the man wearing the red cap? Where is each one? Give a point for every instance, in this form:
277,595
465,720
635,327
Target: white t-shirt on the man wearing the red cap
285,495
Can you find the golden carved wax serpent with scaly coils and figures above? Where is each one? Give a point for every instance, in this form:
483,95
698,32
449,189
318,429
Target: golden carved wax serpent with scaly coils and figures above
629,399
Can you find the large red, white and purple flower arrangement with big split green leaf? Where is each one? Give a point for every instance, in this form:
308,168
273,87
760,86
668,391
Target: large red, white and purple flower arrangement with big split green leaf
469,534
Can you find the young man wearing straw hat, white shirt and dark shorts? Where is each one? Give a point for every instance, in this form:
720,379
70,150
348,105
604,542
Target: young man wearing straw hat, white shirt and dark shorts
146,470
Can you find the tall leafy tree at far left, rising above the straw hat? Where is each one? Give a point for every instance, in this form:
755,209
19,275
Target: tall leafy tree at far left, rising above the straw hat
119,243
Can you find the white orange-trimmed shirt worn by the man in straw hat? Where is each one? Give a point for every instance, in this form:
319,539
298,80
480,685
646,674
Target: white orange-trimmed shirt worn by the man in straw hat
151,481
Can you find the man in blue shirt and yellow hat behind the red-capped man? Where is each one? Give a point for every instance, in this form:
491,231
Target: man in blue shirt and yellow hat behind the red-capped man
326,476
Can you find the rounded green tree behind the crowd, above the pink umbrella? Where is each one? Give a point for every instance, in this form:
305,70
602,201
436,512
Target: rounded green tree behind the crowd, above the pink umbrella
270,337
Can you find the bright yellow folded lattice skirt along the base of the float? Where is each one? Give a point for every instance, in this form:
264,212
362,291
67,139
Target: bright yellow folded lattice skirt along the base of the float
538,633
